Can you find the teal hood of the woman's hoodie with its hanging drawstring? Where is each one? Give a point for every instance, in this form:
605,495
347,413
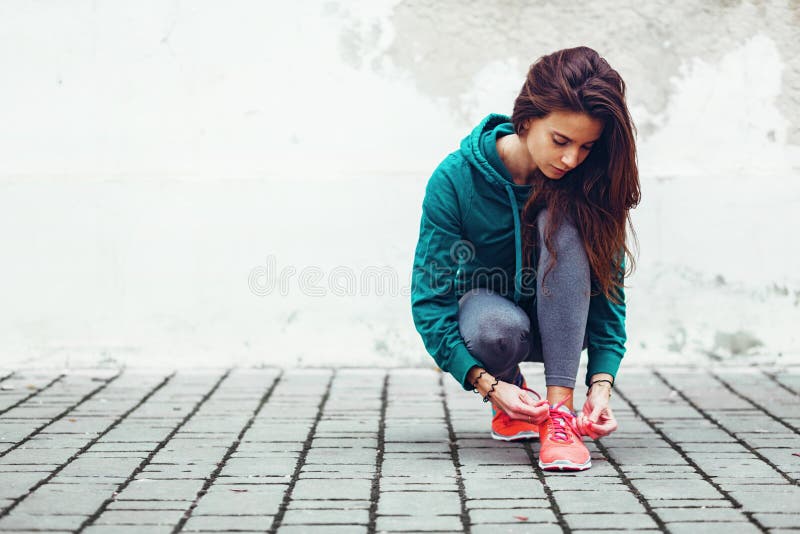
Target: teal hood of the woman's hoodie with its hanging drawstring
480,149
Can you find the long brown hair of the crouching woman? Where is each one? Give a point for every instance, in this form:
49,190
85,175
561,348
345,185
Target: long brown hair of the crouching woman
598,194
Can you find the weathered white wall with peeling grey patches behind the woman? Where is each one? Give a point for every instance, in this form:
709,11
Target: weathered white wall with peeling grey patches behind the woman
157,155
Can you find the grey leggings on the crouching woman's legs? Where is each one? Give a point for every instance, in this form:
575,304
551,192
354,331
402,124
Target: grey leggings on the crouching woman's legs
498,332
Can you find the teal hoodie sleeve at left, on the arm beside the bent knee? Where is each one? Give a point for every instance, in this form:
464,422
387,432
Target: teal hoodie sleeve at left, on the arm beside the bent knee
434,304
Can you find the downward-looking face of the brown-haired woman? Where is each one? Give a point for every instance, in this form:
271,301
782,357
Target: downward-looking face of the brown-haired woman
560,141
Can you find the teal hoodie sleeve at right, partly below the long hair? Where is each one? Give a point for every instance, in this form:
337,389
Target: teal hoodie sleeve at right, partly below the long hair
606,329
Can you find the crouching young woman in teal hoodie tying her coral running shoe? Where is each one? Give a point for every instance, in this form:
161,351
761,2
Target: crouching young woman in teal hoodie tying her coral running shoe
521,254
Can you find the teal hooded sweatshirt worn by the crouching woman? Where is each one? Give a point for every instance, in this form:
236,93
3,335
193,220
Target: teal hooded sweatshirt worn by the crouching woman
470,236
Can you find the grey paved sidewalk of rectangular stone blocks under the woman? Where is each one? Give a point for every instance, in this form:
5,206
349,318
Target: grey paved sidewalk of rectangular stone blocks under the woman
401,450
